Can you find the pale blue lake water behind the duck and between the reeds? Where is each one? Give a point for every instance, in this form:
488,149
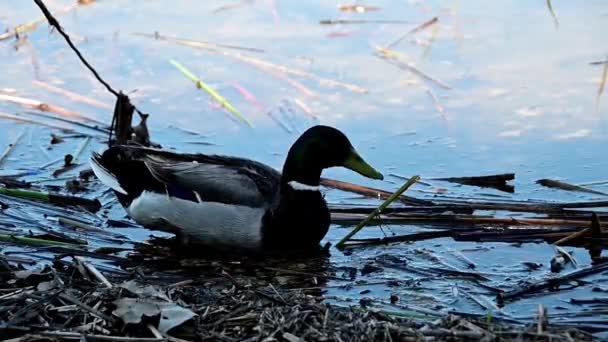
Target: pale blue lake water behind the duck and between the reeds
509,88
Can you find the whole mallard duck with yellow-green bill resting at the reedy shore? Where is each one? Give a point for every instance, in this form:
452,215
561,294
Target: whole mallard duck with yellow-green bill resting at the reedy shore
227,202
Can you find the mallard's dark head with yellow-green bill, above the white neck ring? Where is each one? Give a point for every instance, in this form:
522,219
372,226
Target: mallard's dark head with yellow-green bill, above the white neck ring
321,147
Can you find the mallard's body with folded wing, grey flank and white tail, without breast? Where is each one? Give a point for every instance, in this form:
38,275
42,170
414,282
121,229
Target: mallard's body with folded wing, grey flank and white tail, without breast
205,200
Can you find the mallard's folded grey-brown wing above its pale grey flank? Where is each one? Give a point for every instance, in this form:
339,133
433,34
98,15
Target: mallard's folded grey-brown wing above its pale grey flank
225,180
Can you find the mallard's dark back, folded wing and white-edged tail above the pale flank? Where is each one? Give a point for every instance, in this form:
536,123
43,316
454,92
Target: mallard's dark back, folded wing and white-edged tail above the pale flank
131,170
